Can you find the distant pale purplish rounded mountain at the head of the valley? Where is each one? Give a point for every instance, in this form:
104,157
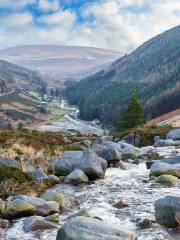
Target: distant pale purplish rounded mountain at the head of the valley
60,62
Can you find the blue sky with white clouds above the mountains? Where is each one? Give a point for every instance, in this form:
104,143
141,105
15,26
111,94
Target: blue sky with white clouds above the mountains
120,25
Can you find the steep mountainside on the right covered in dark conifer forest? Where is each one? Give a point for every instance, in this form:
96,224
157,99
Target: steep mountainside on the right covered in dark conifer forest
153,68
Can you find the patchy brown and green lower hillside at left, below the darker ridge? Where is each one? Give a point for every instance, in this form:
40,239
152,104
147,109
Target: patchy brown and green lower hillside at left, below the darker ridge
19,107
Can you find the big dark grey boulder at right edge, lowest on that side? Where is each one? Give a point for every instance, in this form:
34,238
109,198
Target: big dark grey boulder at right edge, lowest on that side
166,209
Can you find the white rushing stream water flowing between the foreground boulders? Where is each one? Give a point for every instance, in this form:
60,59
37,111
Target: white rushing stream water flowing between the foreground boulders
131,185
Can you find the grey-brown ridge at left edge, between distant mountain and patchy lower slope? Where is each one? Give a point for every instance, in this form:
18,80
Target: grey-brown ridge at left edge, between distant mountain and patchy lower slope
13,76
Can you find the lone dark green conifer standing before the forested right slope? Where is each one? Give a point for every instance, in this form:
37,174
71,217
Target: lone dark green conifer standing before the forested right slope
134,115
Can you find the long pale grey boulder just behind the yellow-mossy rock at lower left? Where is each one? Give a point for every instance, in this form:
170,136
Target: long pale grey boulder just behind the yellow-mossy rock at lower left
43,207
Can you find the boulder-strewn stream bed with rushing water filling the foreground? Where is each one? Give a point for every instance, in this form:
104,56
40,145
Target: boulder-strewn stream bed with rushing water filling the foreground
102,191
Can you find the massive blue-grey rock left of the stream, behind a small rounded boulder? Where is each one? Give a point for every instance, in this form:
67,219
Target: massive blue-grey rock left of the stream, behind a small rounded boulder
92,165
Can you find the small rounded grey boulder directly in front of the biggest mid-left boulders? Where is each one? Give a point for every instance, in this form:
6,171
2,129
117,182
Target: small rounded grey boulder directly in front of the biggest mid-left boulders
77,177
